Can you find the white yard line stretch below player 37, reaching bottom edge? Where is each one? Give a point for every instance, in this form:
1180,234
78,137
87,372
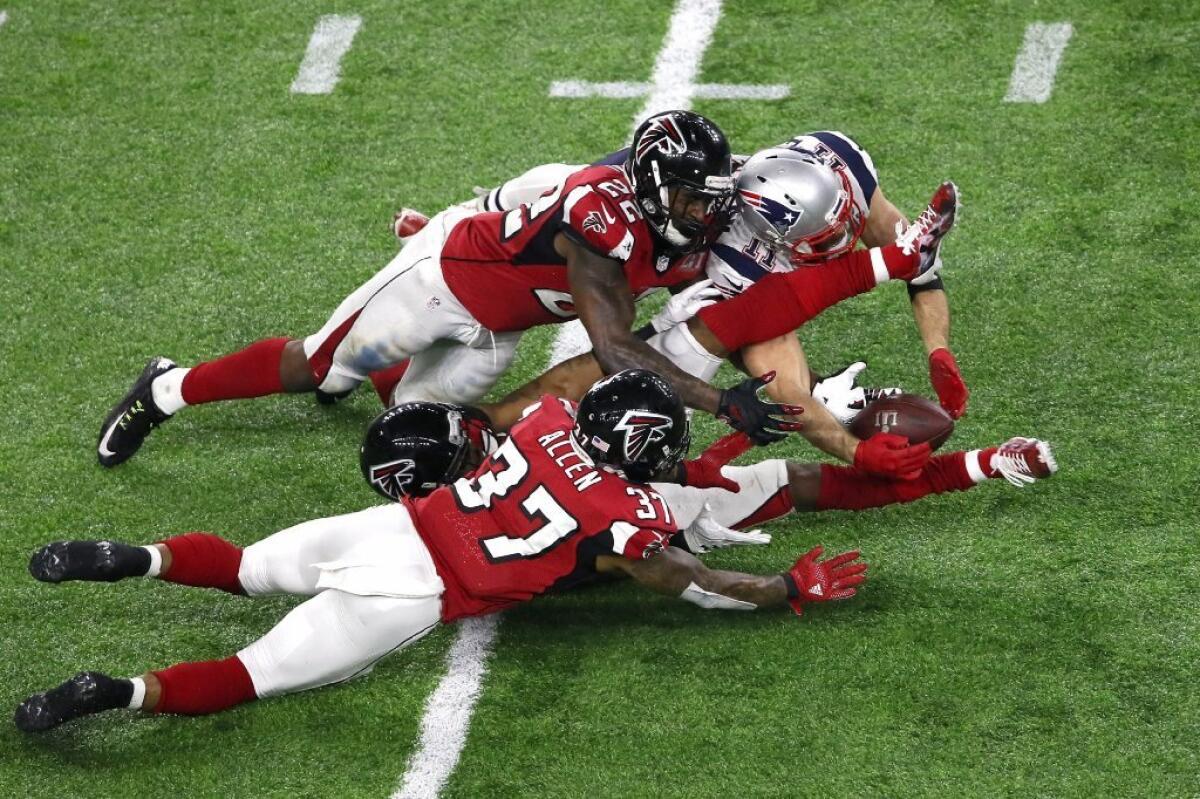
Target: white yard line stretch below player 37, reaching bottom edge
448,711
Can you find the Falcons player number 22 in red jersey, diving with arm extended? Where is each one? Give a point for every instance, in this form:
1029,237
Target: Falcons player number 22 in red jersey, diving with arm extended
457,299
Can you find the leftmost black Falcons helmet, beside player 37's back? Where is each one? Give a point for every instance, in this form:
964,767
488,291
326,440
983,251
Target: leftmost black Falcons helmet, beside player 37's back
416,447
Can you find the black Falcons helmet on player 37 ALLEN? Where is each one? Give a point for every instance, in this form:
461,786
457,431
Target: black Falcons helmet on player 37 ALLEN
634,422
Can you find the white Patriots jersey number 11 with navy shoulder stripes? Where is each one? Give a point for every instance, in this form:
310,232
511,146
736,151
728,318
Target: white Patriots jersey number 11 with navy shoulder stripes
737,261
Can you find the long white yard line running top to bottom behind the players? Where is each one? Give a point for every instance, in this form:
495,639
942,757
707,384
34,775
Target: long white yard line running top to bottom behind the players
449,710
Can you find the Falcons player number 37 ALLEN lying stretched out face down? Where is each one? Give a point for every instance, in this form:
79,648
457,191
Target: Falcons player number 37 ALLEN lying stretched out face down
551,508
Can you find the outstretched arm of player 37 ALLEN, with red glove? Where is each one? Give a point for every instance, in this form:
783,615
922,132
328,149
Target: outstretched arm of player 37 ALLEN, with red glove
676,573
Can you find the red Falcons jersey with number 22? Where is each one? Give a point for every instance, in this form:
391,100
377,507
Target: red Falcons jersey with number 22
505,269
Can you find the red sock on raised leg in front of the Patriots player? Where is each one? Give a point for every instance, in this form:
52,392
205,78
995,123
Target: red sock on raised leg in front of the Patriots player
784,302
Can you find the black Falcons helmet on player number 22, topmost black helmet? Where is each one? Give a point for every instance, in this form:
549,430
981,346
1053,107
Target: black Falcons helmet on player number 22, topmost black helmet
686,152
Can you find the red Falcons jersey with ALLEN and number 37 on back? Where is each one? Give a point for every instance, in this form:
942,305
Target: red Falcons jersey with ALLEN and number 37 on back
533,518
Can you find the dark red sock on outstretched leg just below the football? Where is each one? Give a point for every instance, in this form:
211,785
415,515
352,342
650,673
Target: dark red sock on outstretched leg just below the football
847,489
